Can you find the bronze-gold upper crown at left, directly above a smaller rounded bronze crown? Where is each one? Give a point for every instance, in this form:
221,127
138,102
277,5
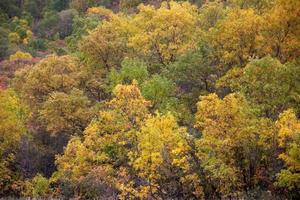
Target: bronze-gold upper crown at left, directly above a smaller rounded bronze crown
52,74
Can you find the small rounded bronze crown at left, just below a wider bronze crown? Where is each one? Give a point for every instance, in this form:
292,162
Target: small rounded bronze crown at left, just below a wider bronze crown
66,113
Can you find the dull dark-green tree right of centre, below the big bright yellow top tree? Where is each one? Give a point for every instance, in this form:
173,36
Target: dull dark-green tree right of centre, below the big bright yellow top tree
195,73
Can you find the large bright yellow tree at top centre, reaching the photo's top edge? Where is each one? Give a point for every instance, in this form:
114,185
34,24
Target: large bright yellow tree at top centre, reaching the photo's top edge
163,34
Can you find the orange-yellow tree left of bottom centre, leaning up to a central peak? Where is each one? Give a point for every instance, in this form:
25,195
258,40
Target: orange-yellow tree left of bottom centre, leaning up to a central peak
105,144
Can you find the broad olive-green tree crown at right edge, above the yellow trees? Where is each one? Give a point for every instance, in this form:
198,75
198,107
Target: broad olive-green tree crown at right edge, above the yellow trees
268,84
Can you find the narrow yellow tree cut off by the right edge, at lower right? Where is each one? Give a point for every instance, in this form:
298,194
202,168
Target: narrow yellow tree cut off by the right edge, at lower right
288,126
